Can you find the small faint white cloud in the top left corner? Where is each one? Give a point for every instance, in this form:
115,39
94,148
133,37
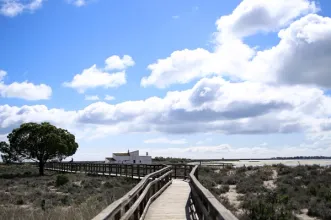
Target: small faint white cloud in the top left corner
12,8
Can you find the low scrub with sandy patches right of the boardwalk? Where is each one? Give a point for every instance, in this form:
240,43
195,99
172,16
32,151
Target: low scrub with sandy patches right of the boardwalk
272,192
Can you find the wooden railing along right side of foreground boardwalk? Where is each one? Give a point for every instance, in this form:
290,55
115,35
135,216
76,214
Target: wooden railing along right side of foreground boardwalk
205,204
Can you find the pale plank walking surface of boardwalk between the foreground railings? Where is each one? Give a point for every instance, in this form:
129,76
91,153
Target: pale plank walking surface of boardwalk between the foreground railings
171,204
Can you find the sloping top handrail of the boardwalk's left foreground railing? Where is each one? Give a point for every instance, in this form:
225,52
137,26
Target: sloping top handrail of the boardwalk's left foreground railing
118,208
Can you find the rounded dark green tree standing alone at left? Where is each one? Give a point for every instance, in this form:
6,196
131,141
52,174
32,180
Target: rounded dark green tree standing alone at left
38,142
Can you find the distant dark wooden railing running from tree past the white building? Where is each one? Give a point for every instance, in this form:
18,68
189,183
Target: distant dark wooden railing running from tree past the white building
136,171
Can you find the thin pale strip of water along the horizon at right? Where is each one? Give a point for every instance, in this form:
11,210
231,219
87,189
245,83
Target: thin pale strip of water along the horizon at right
270,162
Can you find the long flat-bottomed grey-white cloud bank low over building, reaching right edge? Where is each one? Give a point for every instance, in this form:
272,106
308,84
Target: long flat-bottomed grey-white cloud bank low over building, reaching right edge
214,105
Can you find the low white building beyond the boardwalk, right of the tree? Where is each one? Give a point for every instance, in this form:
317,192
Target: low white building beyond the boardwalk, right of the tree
129,158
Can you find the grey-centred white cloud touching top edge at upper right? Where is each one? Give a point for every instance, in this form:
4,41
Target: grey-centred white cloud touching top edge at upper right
252,16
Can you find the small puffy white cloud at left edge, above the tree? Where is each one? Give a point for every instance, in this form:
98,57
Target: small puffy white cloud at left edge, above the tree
24,90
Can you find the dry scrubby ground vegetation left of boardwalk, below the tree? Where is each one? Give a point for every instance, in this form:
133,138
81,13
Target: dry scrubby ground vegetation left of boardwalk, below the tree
26,195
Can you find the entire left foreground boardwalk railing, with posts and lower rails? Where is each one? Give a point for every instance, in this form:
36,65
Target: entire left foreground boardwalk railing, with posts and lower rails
135,203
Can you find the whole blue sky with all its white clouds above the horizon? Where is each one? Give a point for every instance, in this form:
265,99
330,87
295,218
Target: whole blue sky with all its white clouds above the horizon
191,78
